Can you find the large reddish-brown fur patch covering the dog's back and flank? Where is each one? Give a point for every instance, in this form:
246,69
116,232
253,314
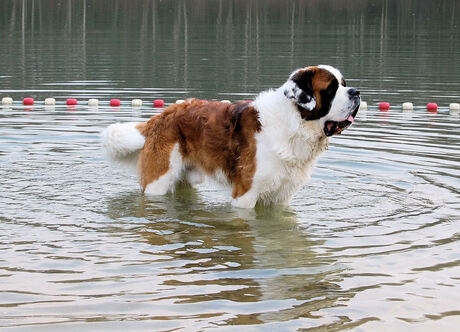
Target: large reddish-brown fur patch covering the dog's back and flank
212,136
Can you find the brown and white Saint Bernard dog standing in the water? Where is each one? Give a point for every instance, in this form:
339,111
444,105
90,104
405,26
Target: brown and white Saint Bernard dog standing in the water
264,149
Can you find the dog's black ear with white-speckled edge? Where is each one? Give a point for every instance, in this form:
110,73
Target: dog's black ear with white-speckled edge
299,88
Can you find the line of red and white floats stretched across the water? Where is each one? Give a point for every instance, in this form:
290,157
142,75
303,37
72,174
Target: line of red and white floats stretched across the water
454,108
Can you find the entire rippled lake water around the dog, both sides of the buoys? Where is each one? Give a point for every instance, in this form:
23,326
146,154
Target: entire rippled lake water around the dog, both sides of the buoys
370,243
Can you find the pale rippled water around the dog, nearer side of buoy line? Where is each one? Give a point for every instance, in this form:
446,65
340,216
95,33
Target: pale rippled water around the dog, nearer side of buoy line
371,240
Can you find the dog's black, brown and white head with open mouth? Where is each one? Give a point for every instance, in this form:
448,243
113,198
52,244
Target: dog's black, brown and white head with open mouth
320,93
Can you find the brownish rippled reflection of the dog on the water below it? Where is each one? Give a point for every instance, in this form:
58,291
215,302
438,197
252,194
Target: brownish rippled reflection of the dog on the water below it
231,254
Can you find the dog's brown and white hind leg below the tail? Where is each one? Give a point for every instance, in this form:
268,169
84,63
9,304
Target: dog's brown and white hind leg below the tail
161,170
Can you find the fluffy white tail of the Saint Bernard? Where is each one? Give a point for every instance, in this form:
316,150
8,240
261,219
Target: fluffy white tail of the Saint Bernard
122,141
